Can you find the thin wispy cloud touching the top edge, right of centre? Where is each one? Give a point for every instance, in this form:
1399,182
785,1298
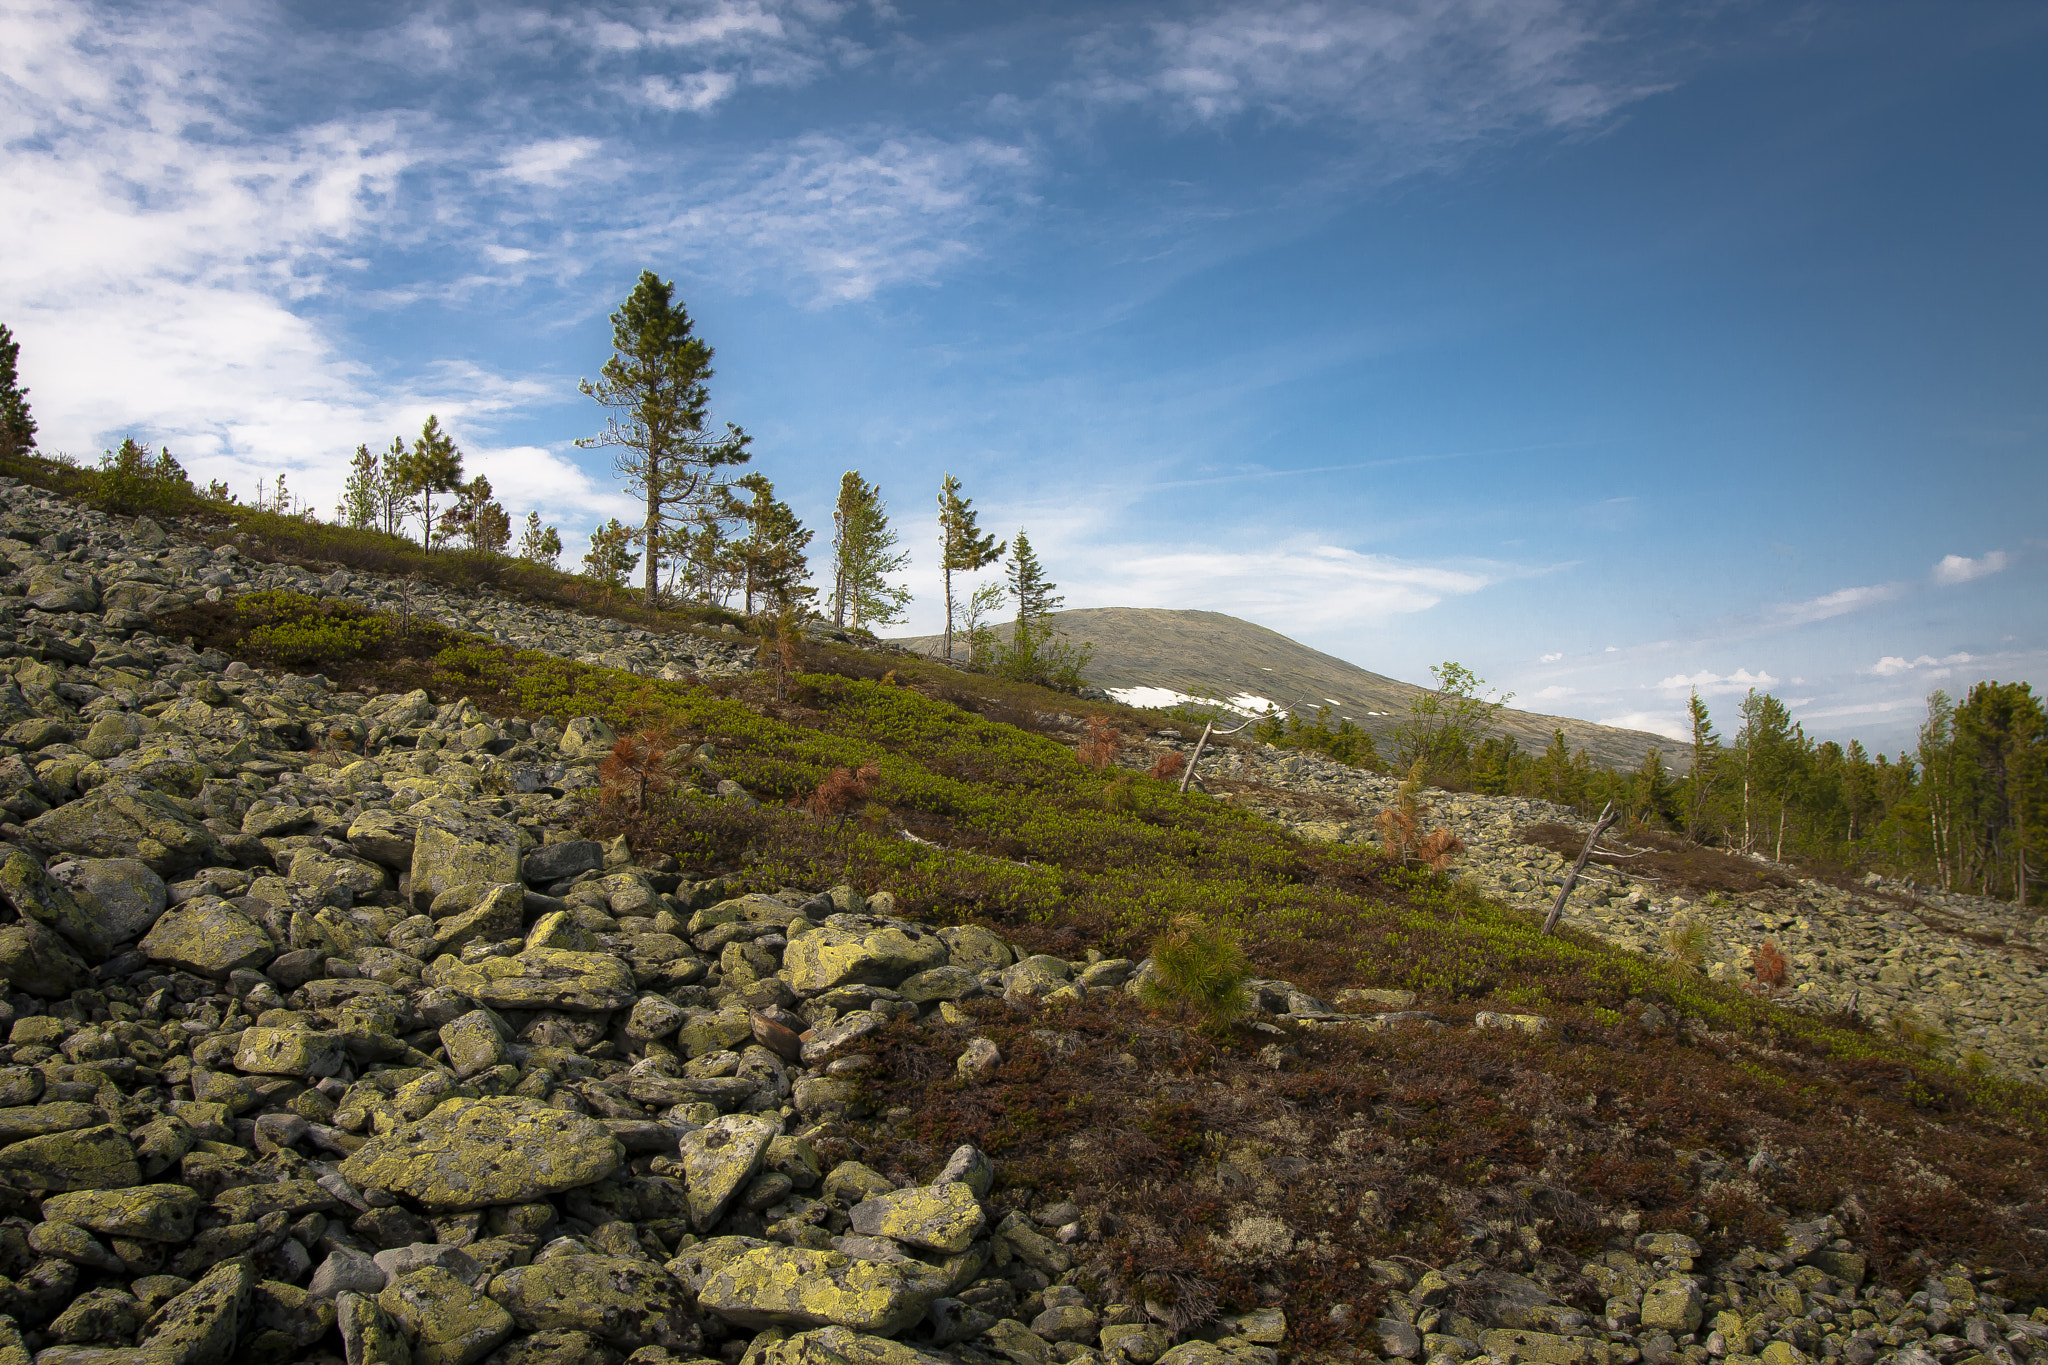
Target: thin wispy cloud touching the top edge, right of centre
1420,77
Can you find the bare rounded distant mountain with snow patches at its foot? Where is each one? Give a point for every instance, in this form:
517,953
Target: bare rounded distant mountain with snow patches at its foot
1154,658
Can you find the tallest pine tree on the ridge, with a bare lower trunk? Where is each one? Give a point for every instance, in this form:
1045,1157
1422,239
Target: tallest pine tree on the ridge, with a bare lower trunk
654,384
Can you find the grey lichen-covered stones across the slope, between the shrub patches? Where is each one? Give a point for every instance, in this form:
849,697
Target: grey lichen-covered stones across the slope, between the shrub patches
329,1039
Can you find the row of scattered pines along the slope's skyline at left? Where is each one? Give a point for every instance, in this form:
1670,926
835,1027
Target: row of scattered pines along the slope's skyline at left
712,535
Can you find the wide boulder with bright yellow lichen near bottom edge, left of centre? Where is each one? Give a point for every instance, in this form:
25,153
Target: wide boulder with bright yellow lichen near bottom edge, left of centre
800,1288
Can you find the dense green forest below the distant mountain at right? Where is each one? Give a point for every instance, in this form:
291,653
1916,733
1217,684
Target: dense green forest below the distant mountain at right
1967,809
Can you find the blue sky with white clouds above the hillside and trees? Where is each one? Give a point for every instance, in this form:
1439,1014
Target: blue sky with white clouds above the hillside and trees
1611,349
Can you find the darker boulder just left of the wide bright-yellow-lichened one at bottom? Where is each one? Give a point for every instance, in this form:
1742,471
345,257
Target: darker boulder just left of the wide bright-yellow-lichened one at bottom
613,1298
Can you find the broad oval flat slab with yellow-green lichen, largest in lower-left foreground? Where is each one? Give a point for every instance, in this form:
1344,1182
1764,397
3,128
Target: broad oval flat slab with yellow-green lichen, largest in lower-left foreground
474,1153
